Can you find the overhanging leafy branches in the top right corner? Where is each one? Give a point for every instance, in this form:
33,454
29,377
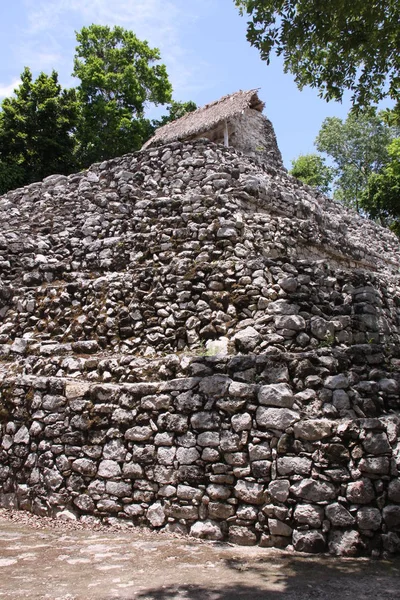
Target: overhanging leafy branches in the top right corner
333,46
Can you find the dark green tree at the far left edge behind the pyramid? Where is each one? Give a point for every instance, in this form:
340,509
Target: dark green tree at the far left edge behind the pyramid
36,130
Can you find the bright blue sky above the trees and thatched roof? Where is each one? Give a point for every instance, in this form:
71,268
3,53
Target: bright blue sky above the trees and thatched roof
202,42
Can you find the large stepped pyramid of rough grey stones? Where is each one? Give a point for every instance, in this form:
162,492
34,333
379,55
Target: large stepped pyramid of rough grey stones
194,341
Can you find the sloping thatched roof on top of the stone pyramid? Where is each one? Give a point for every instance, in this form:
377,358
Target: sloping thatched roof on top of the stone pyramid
205,118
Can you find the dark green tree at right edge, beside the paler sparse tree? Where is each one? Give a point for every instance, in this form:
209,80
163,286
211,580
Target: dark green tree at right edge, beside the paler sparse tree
381,197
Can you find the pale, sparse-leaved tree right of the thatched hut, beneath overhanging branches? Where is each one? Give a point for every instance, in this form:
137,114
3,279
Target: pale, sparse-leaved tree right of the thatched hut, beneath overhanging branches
358,148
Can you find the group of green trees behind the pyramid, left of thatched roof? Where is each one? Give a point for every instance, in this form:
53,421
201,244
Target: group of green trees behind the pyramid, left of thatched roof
45,129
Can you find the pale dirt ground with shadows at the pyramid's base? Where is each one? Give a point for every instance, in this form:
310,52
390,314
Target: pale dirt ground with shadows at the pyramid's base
42,560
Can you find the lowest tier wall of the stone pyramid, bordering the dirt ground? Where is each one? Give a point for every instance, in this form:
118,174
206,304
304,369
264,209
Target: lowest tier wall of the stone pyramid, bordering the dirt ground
236,449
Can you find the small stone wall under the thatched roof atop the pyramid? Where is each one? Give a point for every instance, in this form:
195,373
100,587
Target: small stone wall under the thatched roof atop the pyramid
253,134
